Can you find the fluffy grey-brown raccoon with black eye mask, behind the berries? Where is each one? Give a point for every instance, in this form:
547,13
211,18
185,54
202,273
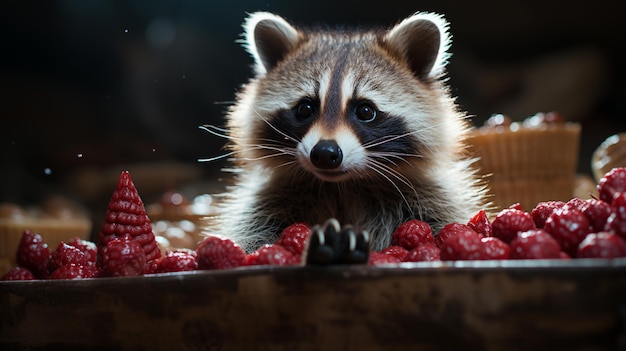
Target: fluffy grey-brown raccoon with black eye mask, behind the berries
355,125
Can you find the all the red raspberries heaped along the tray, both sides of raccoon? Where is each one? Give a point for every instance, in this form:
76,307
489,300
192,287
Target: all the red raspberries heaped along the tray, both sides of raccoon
594,228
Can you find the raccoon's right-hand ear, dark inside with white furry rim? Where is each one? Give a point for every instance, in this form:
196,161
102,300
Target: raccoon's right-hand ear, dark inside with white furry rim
423,41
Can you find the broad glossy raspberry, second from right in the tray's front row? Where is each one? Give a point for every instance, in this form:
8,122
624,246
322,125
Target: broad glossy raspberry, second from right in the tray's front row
535,244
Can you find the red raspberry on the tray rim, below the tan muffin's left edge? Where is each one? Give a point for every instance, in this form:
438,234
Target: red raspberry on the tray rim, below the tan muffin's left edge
463,244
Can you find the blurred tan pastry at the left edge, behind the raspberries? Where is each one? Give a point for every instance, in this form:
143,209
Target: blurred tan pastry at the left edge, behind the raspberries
56,219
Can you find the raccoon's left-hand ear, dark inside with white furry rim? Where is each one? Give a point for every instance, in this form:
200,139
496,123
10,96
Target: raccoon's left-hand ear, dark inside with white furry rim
268,38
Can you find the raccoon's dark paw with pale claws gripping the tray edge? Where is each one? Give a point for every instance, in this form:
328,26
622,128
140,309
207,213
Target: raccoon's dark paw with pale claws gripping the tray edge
333,244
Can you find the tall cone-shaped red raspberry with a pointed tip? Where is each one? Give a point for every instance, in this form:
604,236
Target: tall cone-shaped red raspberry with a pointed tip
126,217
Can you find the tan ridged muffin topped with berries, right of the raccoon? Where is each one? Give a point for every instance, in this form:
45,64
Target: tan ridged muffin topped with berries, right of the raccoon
527,162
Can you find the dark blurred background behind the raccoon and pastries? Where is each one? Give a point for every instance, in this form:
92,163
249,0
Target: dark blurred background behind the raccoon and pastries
90,88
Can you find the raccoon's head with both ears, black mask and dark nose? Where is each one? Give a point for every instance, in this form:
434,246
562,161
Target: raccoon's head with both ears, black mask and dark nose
346,105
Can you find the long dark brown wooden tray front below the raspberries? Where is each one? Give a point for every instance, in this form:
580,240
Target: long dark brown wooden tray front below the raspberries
488,305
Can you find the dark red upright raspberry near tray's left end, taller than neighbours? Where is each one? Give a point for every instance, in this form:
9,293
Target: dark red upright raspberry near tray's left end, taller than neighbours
33,254
